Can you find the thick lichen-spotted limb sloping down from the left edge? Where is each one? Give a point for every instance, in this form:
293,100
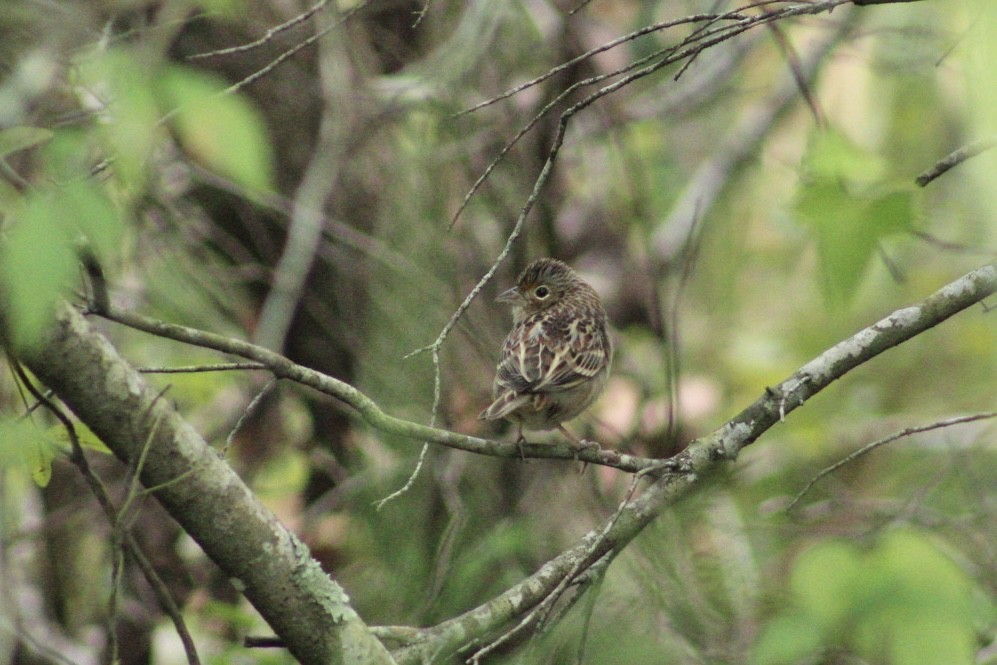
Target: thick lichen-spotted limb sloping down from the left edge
274,569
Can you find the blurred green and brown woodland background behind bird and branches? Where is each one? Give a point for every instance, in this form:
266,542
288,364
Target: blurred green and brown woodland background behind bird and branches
806,226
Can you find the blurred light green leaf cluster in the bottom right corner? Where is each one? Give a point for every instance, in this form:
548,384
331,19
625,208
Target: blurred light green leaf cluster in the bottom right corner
900,601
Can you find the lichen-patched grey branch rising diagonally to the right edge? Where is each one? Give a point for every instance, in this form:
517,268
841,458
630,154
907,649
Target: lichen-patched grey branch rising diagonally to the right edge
702,456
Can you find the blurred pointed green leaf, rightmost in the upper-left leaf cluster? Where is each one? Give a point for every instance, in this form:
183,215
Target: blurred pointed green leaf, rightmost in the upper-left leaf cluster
217,128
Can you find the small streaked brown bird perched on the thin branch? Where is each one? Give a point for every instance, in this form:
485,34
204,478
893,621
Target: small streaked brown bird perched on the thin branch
556,359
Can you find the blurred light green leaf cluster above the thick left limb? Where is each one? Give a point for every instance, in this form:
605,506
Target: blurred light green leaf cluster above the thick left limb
90,178
